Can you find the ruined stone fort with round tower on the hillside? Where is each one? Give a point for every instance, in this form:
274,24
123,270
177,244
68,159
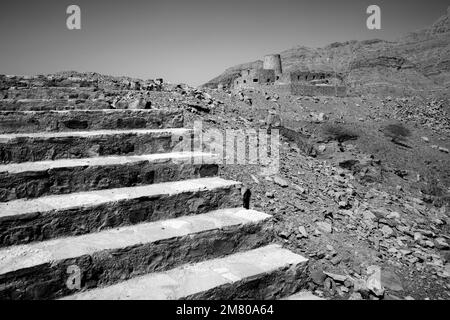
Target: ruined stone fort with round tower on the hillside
296,82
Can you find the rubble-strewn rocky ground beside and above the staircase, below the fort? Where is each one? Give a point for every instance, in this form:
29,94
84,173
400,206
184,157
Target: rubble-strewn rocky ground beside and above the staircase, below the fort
363,188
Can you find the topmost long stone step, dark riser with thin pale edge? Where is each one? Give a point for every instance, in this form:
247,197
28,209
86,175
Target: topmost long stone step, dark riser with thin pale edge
55,121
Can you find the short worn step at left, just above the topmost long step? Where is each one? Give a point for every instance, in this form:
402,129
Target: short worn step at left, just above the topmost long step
53,104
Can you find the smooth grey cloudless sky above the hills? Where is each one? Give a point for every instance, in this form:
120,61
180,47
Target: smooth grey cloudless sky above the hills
187,41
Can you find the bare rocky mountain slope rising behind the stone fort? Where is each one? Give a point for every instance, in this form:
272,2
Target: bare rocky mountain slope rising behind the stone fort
418,62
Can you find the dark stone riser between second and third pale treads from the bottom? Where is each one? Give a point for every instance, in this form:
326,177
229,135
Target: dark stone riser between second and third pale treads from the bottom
57,223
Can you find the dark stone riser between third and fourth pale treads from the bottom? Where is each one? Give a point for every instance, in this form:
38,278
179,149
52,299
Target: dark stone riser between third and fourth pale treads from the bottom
35,184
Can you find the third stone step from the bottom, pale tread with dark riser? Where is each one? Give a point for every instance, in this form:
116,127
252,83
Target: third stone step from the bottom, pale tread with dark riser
23,221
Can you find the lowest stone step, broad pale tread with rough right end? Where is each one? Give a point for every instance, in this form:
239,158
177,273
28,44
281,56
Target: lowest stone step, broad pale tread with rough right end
265,273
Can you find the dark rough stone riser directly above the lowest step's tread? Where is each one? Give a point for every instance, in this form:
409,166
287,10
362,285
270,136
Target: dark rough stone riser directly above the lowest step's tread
112,266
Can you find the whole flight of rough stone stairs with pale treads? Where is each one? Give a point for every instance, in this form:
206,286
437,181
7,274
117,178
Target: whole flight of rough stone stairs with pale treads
98,204
